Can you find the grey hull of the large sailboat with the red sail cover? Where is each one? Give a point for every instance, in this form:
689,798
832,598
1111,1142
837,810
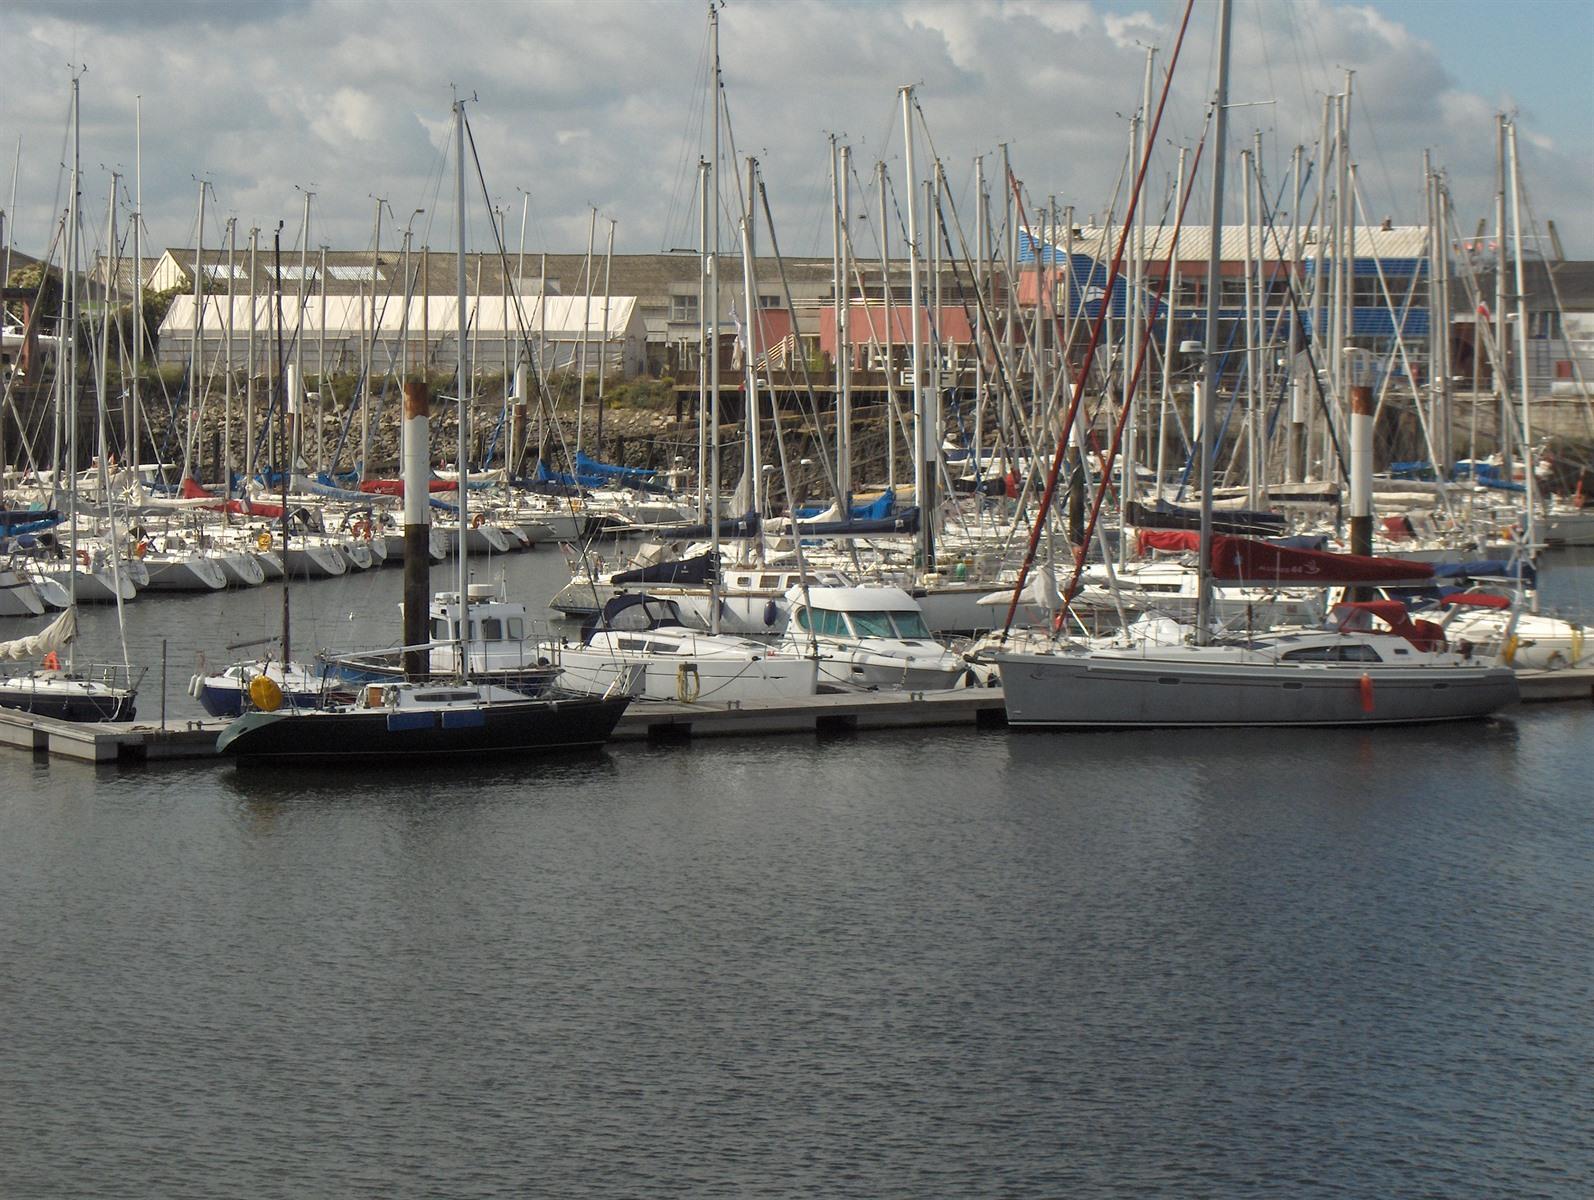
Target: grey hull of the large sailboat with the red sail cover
1083,691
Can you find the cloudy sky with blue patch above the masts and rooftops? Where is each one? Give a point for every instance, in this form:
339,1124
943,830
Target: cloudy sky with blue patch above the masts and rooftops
602,104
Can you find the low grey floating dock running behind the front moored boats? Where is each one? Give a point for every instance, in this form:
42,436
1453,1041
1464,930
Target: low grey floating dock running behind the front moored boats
651,721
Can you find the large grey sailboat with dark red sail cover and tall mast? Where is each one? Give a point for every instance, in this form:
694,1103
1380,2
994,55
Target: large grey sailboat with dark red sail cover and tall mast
1348,673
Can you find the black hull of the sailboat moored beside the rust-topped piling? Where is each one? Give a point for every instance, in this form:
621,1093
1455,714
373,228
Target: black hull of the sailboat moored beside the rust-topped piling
398,735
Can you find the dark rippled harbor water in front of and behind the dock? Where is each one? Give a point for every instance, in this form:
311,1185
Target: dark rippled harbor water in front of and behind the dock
938,963
